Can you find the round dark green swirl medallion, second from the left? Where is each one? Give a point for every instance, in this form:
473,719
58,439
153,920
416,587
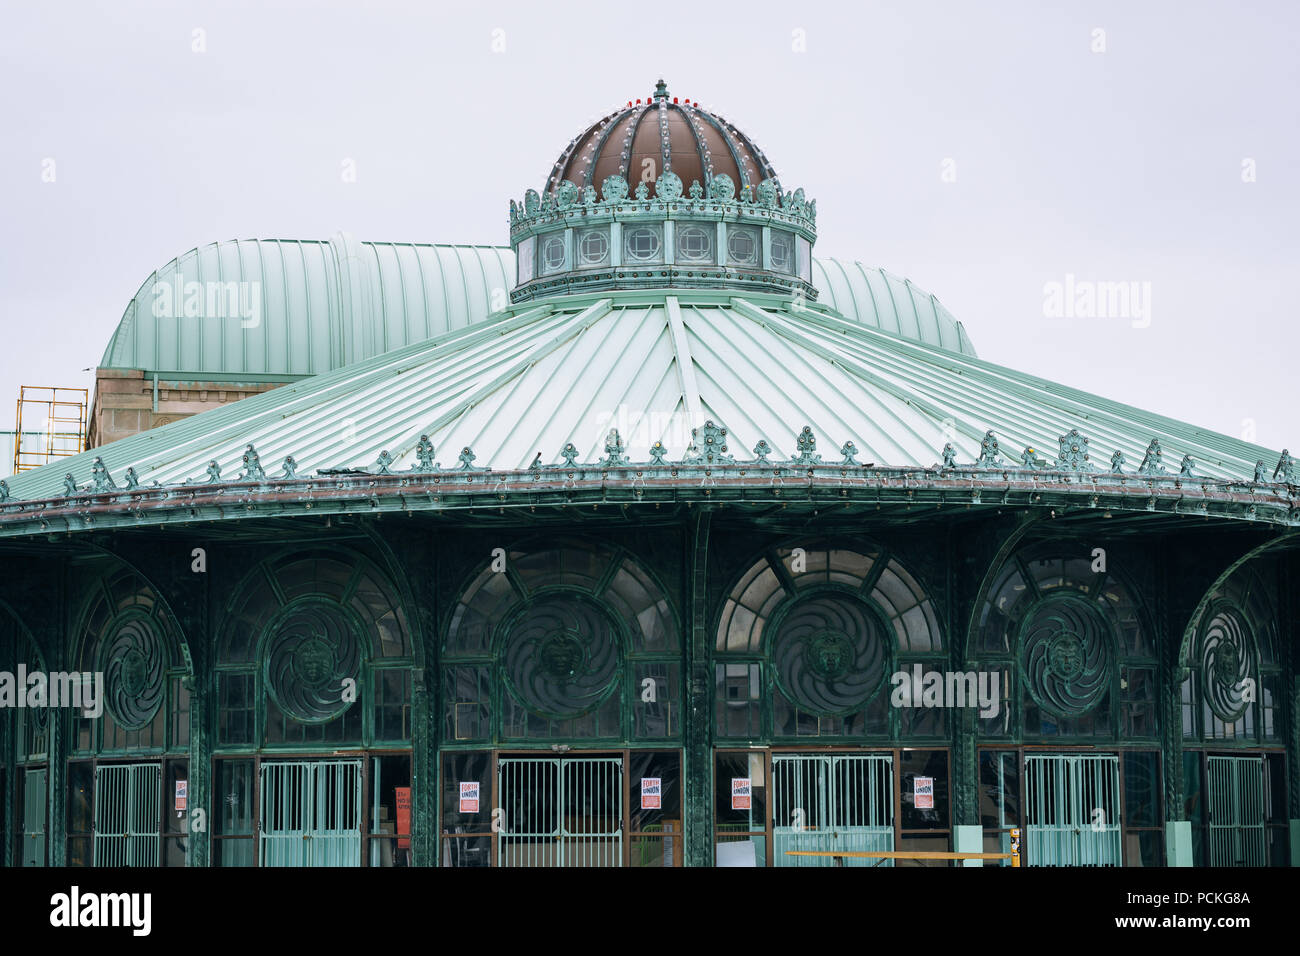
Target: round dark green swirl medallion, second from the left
314,647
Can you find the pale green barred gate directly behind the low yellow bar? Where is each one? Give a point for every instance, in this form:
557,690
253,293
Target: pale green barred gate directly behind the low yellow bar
833,803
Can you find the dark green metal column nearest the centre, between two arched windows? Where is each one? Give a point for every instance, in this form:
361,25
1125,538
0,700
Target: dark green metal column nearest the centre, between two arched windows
699,772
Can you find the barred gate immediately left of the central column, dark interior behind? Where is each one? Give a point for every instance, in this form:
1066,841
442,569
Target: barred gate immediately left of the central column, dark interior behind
561,812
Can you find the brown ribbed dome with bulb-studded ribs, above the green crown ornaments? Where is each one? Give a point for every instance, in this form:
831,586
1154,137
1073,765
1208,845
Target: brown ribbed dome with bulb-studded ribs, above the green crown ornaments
649,137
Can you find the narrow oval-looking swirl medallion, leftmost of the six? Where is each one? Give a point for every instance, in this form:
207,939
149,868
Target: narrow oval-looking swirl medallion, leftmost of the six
133,660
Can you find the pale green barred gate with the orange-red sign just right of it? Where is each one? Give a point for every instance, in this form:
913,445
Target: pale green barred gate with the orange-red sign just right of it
311,814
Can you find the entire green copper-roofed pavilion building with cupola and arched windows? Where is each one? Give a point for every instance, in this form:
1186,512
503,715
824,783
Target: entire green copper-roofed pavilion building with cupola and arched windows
649,540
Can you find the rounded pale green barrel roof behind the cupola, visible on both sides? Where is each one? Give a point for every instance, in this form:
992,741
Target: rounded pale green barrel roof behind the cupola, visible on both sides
327,305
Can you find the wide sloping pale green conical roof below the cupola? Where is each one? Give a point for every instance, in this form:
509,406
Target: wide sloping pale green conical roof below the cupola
655,366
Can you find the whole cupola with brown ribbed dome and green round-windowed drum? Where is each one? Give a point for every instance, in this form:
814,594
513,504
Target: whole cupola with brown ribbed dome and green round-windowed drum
662,194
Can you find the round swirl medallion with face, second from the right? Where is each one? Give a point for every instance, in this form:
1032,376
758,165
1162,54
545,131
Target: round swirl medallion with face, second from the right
1067,657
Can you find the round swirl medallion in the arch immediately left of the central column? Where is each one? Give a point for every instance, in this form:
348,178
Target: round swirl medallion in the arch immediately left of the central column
562,656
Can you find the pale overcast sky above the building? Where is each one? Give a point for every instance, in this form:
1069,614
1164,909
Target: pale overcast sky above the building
985,152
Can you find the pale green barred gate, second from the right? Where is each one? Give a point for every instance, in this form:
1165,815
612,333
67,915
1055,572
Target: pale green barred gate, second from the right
1072,811
